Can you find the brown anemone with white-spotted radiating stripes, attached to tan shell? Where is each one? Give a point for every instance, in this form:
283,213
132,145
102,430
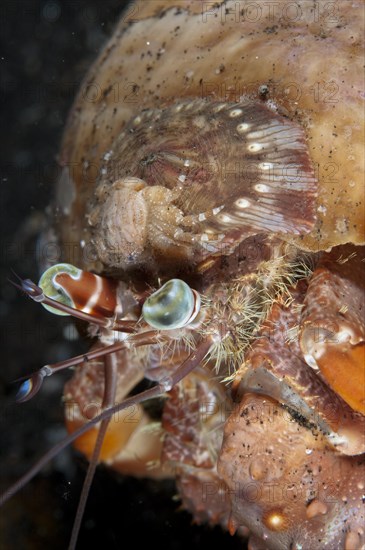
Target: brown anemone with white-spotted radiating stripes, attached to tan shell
198,177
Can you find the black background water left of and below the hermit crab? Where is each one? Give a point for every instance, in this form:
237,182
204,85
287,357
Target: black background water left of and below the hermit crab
46,48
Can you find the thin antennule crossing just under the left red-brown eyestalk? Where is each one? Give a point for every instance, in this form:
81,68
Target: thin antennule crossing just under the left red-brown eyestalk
36,293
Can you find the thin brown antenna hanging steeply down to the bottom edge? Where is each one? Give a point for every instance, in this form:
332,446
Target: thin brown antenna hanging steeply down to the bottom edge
110,377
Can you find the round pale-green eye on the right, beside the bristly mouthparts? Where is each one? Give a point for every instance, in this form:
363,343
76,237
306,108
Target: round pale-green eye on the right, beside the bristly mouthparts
173,306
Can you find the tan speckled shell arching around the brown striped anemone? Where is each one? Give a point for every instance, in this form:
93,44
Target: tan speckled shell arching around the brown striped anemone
307,63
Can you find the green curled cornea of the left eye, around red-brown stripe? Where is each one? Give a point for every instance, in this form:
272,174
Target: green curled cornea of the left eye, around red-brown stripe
55,290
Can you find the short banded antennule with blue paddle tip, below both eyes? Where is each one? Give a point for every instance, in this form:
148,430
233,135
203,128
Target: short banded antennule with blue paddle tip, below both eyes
32,385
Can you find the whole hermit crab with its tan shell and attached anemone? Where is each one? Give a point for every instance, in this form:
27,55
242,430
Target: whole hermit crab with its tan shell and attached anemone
219,223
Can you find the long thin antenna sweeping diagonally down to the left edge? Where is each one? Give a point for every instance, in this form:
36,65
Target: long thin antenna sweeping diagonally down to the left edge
192,361
